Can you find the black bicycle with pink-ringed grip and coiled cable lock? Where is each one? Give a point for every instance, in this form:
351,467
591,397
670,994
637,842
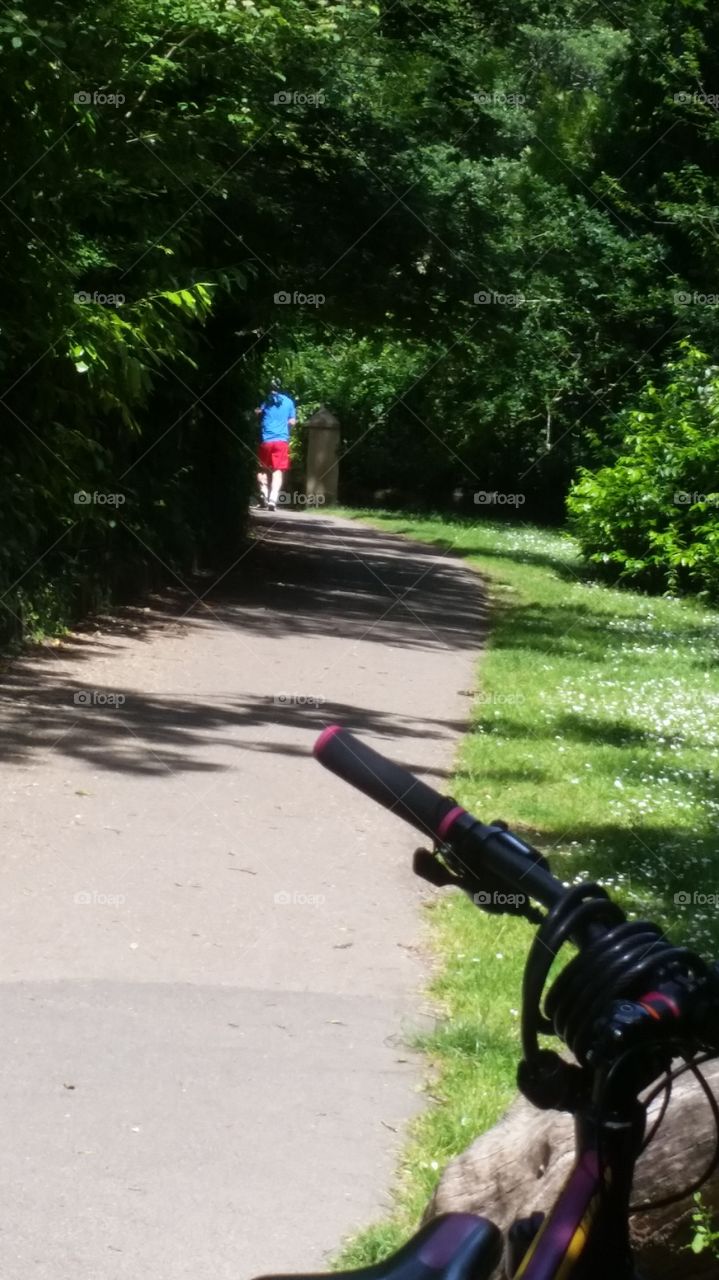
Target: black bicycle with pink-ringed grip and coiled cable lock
626,1005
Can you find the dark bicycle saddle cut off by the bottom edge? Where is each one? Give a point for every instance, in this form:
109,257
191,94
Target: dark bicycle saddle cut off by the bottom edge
451,1247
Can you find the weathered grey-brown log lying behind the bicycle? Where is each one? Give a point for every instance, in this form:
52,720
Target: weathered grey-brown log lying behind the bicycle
521,1164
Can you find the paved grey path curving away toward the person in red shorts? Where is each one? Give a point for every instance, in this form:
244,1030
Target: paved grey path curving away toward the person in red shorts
199,1080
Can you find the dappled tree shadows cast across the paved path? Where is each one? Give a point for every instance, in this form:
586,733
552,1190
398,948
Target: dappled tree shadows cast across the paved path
301,577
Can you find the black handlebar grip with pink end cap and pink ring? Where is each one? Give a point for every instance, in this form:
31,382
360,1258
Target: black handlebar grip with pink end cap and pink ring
384,781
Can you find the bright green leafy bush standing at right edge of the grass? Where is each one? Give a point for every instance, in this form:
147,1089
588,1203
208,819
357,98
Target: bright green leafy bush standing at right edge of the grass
654,513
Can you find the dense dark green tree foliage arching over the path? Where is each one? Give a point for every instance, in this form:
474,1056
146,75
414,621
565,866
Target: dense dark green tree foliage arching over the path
505,218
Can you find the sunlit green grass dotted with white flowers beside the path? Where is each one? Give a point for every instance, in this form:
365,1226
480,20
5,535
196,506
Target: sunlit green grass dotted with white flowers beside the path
596,734
